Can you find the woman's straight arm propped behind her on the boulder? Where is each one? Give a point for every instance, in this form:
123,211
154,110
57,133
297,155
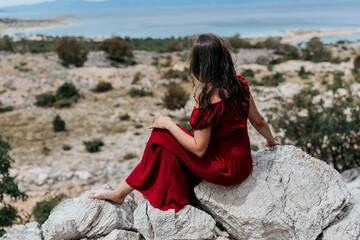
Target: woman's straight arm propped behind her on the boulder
260,124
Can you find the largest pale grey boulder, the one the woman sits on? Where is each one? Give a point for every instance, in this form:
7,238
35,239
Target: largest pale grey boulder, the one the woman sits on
288,195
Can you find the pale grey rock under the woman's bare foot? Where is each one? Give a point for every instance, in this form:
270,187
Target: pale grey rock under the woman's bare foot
90,218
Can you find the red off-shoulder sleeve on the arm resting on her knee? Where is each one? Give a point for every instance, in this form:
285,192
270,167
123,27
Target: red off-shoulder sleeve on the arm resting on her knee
206,121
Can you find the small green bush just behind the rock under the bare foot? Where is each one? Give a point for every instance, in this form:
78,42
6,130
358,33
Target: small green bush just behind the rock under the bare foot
42,209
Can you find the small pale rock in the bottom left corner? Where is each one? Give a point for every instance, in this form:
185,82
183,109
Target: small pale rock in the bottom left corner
30,231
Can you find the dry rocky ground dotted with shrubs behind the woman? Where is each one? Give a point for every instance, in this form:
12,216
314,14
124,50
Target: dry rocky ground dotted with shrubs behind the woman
96,115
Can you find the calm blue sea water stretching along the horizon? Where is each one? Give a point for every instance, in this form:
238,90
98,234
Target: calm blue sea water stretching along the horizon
225,20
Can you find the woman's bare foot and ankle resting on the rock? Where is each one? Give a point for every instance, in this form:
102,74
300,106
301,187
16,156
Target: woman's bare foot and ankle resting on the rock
118,195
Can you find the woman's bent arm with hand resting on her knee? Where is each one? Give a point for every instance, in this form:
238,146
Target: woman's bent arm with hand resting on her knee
197,145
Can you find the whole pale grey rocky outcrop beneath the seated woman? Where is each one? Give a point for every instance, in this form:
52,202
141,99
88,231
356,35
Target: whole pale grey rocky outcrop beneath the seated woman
288,195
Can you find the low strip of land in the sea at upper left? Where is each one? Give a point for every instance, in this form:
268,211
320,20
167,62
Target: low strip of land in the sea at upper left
18,25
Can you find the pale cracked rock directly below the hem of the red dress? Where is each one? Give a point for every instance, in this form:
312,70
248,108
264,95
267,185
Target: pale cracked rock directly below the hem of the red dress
188,223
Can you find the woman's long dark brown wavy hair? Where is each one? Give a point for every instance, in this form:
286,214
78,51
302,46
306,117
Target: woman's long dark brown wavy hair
210,62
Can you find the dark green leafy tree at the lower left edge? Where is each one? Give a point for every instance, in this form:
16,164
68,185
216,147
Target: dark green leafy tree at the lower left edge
7,187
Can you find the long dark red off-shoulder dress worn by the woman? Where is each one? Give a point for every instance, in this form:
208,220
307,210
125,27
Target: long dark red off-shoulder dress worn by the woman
168,173
